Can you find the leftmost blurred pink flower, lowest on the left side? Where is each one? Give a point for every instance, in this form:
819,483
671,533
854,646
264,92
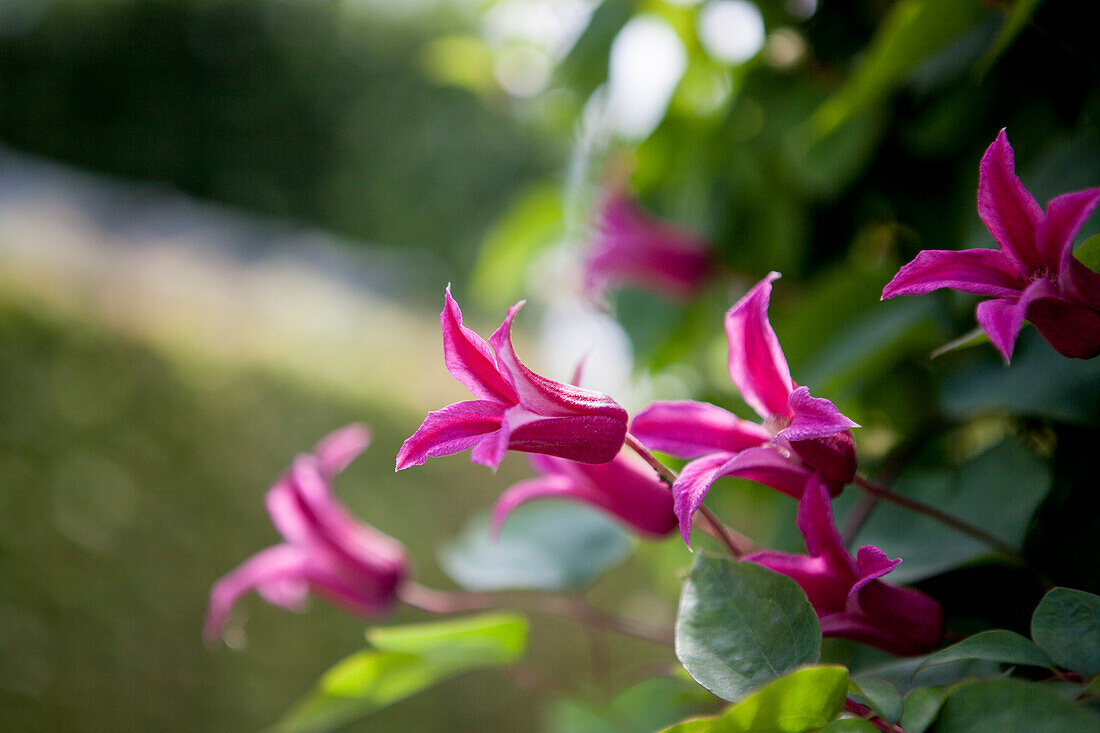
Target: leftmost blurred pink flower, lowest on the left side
327,551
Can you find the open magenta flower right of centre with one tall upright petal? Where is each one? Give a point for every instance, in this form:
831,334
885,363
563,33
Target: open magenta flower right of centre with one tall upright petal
800,435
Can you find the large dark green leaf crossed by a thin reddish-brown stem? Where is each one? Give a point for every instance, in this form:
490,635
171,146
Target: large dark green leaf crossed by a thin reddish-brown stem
1008,477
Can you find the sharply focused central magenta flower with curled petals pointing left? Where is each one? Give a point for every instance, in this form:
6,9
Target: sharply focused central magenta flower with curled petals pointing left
515,410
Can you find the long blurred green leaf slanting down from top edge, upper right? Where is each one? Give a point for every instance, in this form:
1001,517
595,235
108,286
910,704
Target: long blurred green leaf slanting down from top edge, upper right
914,31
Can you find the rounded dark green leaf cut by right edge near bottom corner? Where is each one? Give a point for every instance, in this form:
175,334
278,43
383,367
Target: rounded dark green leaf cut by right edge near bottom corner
1068,626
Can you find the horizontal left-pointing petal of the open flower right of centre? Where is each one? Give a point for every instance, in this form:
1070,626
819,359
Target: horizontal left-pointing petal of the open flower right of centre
690,430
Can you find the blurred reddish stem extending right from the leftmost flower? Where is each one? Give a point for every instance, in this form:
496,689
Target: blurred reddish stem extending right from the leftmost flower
568,607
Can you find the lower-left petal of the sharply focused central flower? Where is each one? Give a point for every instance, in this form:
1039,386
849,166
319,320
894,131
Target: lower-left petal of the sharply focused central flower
450,431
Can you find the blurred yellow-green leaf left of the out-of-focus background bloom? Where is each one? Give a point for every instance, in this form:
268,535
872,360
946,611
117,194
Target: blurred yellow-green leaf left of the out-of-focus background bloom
533,222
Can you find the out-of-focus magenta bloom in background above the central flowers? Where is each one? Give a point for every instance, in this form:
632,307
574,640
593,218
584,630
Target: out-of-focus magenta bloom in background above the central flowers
633,248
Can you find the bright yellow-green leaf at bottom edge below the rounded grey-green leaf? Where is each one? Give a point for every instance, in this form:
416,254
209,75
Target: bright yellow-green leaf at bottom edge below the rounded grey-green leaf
804,701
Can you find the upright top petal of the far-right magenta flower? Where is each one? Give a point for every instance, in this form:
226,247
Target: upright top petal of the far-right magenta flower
1009,212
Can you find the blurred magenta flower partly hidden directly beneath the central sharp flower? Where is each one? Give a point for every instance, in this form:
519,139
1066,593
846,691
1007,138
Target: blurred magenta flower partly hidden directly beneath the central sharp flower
625,488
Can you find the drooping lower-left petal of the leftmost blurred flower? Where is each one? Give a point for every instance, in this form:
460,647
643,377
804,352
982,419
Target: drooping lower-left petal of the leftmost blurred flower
280,570
